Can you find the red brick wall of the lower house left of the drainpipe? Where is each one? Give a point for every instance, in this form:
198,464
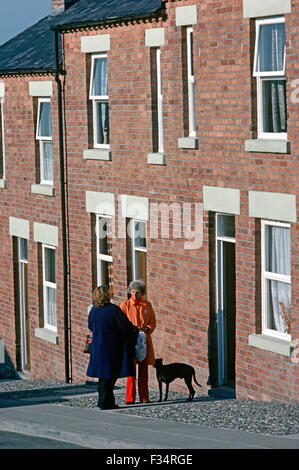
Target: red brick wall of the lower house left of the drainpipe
18,201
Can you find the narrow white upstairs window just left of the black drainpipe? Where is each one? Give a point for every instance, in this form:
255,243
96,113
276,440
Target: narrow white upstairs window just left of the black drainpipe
44,136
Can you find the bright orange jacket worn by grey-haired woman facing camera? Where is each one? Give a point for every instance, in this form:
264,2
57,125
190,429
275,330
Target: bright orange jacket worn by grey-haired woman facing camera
142,315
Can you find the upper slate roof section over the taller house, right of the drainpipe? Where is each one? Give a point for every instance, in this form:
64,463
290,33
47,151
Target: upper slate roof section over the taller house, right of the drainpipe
88,12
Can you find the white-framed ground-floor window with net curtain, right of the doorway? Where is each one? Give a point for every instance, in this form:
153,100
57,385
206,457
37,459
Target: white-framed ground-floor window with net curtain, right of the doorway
276,279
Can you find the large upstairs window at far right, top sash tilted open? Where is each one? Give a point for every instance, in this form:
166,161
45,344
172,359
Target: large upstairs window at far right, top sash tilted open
269,68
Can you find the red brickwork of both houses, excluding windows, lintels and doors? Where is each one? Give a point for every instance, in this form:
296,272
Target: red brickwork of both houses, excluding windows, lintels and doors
180,282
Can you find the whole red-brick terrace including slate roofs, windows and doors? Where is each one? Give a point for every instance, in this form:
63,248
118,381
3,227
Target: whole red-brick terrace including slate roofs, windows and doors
155,140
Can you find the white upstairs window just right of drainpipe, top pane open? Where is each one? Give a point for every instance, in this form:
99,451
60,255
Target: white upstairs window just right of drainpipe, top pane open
100,100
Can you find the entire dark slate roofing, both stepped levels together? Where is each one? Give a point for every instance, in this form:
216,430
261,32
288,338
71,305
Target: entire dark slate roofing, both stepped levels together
33,50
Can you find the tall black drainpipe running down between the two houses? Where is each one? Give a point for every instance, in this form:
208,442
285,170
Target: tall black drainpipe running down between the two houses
59,72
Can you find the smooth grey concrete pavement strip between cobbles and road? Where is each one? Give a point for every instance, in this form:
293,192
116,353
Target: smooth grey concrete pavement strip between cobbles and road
113,429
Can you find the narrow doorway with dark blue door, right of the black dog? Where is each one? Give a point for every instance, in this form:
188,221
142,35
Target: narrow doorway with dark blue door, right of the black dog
226,298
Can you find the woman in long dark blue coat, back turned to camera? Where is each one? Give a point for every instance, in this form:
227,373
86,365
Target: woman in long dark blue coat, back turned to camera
113,345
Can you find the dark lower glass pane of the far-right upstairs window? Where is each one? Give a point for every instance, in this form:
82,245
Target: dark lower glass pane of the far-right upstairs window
274,106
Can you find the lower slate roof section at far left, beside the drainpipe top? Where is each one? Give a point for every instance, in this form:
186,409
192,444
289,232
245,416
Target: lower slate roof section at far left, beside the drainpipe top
31,50
